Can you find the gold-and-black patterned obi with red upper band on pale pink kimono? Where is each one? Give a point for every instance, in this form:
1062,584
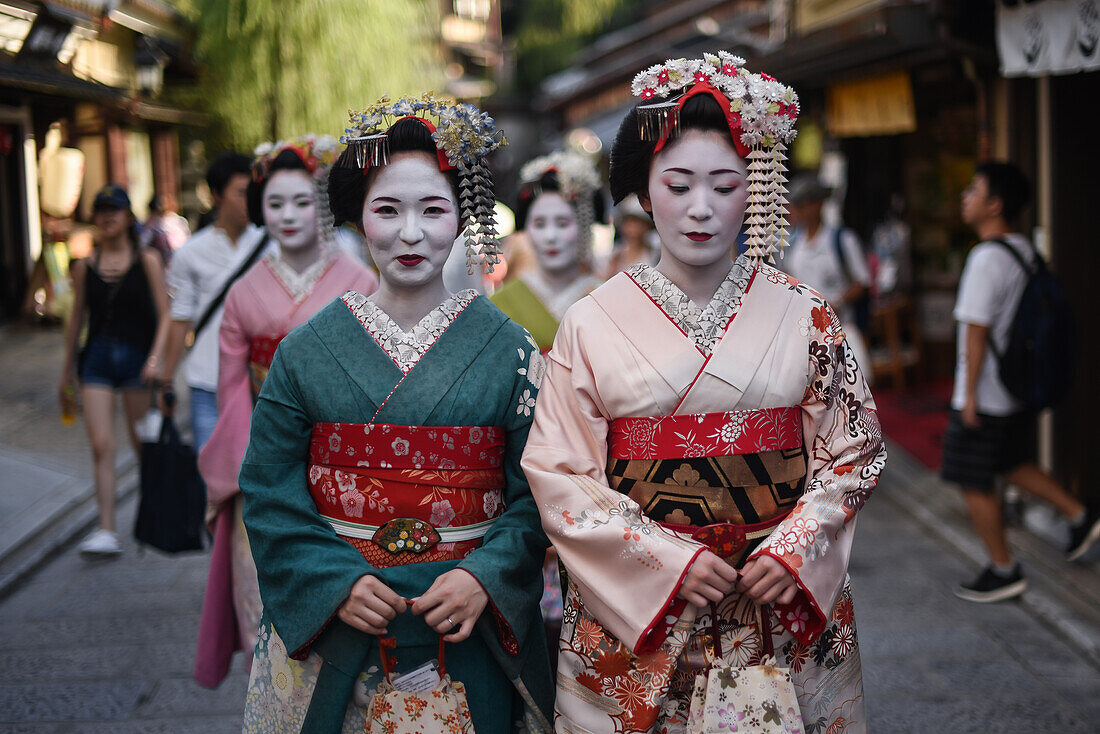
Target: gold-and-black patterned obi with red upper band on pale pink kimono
727,479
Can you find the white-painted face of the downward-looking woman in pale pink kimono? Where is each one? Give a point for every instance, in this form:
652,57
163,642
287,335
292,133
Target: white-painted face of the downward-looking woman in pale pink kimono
698,193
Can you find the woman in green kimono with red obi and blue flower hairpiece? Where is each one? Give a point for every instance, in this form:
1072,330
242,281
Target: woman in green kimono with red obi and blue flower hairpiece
382,483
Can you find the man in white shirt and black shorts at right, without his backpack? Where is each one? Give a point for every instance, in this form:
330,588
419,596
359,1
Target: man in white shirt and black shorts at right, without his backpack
991,435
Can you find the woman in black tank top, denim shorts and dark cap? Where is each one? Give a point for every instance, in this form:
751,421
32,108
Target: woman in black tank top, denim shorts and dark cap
122,290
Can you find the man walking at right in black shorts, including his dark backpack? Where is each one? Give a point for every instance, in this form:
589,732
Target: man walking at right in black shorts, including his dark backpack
1016,349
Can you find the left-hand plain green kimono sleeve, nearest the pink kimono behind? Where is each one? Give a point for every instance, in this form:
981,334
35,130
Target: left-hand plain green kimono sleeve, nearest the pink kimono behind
288,535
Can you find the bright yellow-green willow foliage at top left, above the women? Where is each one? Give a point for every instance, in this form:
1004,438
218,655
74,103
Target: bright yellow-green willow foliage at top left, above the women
279,69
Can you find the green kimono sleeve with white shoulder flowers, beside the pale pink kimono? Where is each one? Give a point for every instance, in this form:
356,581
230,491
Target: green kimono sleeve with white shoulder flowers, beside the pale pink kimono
510,561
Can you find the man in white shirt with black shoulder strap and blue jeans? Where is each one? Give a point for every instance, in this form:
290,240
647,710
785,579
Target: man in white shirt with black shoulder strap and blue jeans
197,277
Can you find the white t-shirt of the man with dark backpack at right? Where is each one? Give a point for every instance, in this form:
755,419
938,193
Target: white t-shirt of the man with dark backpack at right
991,290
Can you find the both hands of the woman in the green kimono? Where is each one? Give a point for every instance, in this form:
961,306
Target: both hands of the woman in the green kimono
453,606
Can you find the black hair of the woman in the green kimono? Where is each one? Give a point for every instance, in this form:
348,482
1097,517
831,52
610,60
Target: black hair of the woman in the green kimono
348,187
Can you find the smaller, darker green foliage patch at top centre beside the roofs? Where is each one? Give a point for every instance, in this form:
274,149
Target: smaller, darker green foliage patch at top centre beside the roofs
549,32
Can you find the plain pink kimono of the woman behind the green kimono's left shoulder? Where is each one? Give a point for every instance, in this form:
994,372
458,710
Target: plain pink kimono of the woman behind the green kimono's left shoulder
261,309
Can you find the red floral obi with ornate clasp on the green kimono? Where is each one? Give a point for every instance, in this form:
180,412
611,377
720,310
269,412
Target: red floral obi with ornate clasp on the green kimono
408,495
